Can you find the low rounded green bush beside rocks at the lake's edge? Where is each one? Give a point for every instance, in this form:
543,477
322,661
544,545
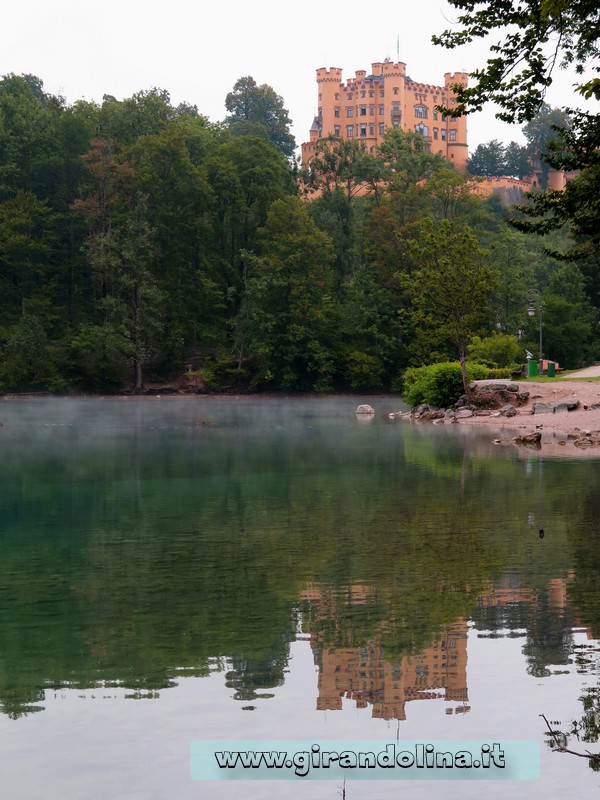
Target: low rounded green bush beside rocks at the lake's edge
438,384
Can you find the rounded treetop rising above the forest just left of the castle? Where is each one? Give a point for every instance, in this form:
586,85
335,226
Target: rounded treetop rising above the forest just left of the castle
259,111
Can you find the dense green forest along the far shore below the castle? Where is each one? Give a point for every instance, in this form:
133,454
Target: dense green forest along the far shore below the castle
144,246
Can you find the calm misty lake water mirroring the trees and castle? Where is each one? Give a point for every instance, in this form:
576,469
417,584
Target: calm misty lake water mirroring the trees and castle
181,569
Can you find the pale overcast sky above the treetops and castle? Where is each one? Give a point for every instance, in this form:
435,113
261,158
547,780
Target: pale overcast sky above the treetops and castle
197,51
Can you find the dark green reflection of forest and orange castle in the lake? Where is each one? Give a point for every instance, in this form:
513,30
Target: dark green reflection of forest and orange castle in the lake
135,554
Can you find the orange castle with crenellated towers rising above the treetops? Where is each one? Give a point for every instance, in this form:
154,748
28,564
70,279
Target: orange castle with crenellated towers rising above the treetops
366,105
